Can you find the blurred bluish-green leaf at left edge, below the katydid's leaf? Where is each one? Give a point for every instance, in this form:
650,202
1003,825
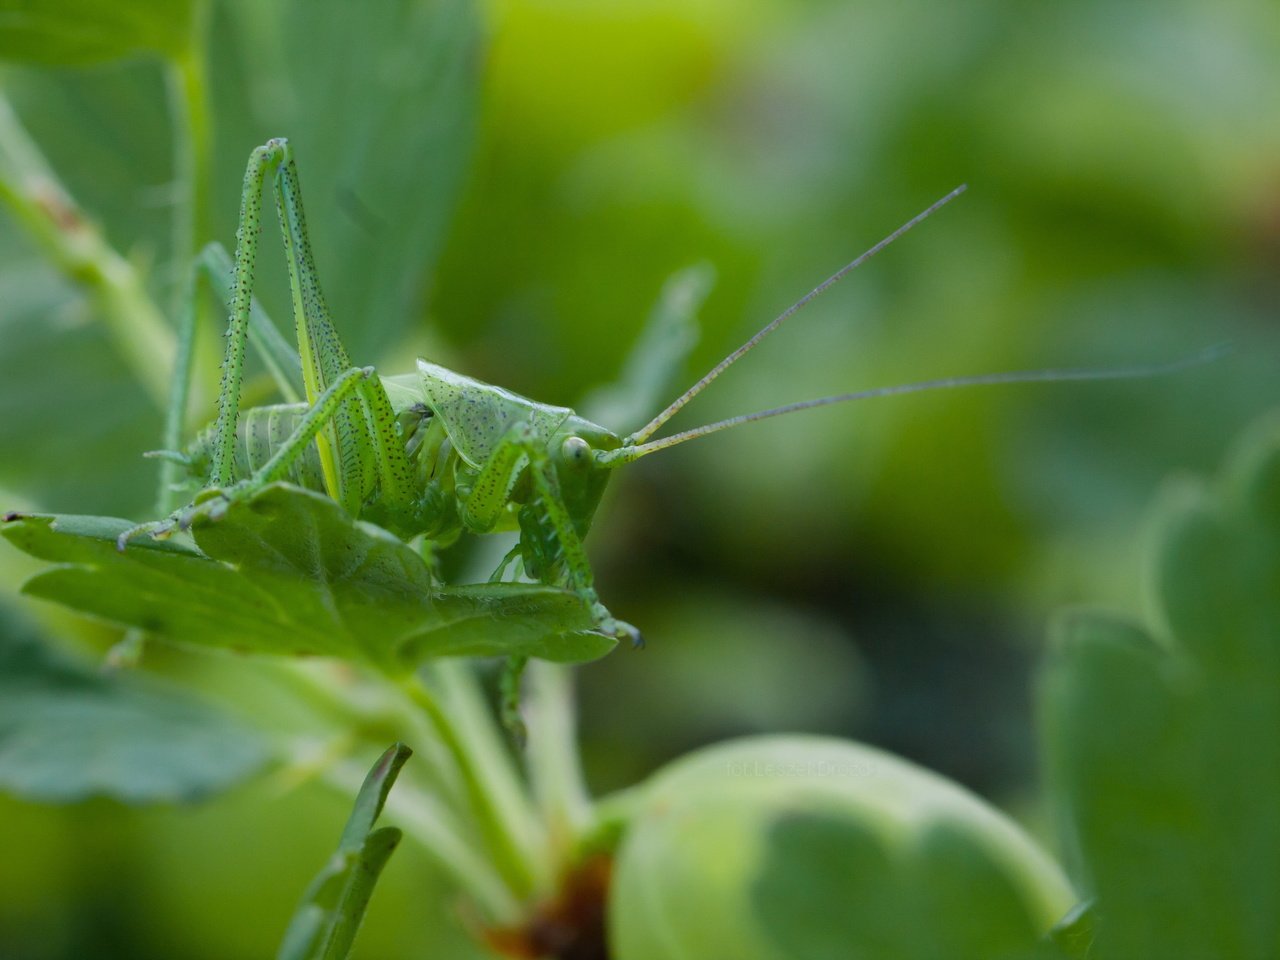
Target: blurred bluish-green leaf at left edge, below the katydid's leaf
68,733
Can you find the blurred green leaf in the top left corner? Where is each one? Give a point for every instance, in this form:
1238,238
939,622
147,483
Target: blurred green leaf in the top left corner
92,31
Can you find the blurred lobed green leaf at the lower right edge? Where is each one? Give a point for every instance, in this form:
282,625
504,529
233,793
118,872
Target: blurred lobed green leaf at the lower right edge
1167,757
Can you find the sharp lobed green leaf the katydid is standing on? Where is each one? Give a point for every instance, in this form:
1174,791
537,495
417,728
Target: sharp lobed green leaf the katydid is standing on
290,573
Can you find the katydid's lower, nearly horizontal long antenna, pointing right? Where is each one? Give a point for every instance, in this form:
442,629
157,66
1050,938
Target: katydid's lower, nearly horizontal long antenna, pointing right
632,452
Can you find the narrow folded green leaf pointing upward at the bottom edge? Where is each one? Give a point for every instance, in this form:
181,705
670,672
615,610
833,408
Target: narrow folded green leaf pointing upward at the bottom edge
328,920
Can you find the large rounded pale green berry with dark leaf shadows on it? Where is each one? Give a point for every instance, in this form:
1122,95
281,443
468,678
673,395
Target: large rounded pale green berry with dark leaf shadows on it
812,849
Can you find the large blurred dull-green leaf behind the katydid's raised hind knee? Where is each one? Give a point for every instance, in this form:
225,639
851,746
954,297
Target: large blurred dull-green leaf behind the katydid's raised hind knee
378,100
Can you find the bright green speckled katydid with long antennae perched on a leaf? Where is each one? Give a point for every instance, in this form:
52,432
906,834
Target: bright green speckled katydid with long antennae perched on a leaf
437,454
